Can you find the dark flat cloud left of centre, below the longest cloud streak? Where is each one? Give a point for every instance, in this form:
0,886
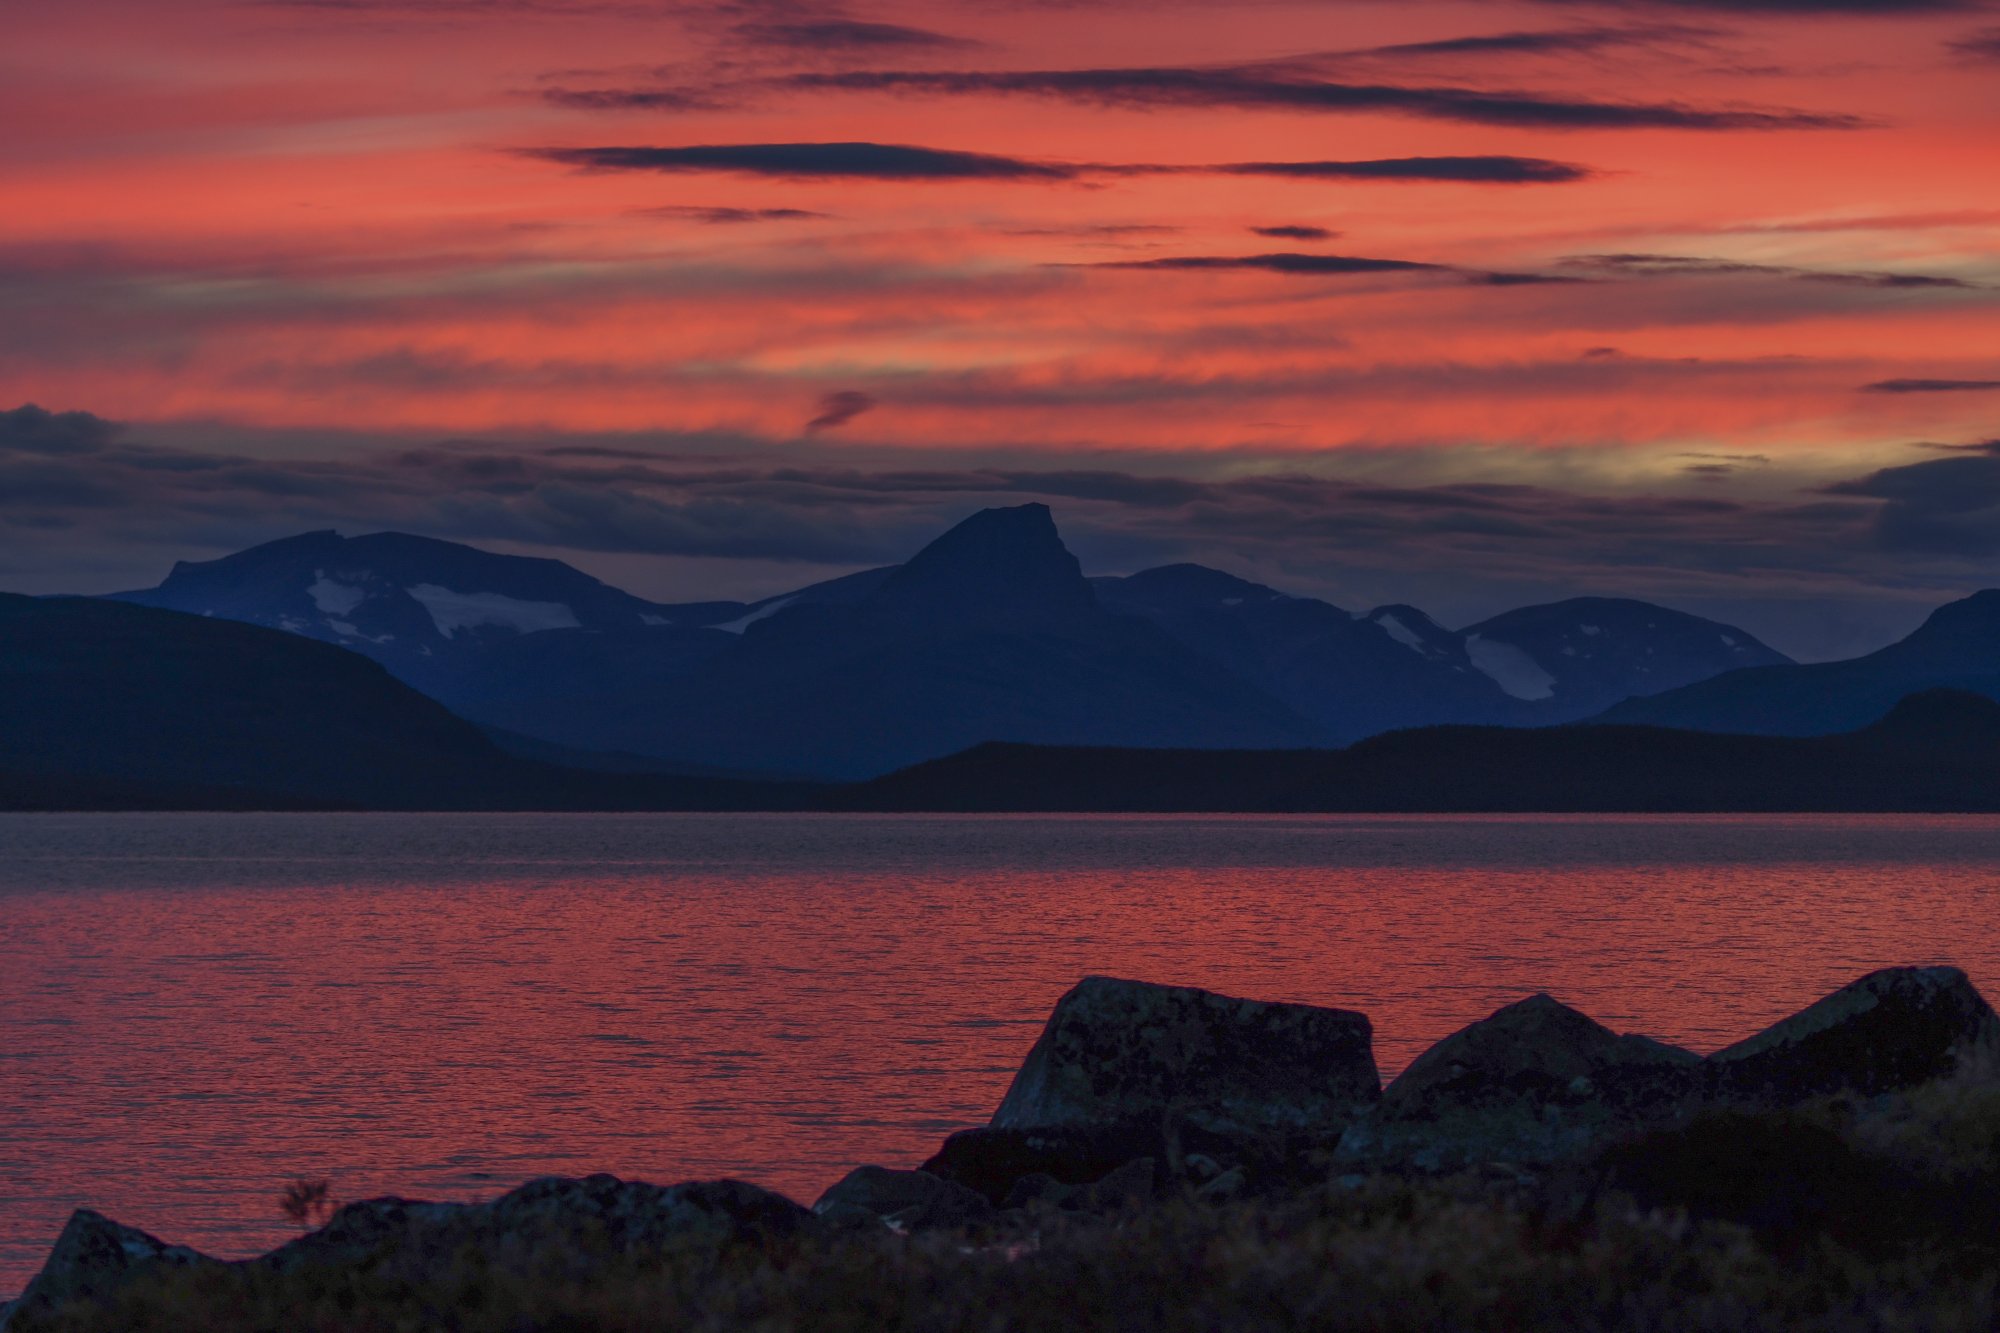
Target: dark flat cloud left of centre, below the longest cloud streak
811,161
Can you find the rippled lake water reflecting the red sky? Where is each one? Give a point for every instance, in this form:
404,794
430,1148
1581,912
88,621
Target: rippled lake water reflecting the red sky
195,1008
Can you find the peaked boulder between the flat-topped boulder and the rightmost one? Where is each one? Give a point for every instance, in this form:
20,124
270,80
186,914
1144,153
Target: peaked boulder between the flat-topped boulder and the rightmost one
1529,1084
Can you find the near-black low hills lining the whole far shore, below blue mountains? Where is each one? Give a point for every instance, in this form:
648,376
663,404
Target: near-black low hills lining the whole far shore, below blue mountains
107,706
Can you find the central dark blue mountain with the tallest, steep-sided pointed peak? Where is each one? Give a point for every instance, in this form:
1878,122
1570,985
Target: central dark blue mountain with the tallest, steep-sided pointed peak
987,633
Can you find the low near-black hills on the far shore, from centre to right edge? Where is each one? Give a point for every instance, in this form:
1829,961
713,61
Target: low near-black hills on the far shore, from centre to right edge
1937,752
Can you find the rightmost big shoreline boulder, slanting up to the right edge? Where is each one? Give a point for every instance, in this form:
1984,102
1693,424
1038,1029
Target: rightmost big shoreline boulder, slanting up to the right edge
1893,1030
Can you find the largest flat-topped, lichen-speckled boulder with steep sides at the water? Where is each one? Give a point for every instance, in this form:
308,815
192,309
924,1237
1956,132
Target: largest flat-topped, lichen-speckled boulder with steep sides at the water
1123,1050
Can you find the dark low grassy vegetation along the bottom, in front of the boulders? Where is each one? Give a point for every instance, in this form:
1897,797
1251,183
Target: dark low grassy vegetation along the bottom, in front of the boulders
1879,1218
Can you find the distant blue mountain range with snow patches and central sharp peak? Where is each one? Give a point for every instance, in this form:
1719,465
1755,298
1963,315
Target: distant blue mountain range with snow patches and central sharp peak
989,633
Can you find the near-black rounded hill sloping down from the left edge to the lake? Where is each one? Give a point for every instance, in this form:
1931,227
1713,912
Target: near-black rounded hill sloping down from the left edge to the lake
107,706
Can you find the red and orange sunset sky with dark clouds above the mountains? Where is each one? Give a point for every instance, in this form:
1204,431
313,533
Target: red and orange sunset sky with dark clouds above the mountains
1451,303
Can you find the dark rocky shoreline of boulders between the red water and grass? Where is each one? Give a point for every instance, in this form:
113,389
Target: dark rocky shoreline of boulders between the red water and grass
1143,1098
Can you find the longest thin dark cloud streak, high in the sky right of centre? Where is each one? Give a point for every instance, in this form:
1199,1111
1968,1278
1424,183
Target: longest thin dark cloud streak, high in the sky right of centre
1281,89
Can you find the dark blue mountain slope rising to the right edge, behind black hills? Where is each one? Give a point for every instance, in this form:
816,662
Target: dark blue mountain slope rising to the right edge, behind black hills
1957,647
